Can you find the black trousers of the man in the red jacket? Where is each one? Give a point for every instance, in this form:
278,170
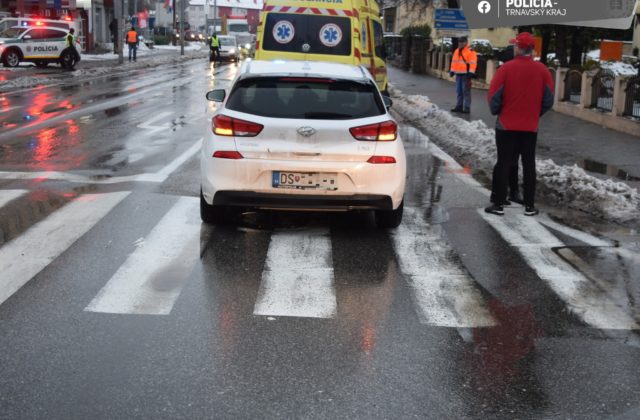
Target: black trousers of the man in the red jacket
511,145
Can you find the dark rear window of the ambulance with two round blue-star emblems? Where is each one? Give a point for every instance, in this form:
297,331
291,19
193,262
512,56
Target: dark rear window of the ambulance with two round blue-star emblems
311,34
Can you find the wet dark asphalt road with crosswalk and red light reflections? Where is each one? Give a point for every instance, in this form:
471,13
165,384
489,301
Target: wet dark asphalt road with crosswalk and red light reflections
118,303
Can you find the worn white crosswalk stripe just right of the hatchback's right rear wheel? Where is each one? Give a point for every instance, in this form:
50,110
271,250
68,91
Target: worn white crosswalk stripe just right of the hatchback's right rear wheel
443,291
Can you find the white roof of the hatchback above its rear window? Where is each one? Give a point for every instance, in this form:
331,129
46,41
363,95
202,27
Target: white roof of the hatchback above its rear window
304,68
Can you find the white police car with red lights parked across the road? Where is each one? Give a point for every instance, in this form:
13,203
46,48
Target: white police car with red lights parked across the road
40,45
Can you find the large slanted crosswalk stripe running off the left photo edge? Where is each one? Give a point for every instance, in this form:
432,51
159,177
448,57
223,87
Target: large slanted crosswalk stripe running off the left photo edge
28,254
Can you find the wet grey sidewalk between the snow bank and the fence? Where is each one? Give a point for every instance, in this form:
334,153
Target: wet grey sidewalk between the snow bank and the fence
566,140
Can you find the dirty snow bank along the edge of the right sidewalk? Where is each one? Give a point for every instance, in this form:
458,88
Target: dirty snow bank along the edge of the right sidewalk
473,143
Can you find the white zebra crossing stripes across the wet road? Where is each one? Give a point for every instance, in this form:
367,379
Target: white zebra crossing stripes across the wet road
298,278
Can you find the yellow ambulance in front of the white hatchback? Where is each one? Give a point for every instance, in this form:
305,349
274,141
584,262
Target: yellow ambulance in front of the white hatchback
343,31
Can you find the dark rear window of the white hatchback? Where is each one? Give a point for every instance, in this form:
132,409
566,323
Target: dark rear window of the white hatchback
306,98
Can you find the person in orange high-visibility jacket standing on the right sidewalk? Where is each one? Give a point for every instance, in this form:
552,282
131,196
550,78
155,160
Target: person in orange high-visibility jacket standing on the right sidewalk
463,65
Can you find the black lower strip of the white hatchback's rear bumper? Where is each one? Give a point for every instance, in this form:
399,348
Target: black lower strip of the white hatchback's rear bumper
303,202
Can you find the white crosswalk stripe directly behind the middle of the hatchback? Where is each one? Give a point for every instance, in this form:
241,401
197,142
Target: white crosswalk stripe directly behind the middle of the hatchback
298,276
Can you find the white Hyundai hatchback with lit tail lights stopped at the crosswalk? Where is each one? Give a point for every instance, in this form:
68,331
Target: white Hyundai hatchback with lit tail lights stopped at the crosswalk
299,135
